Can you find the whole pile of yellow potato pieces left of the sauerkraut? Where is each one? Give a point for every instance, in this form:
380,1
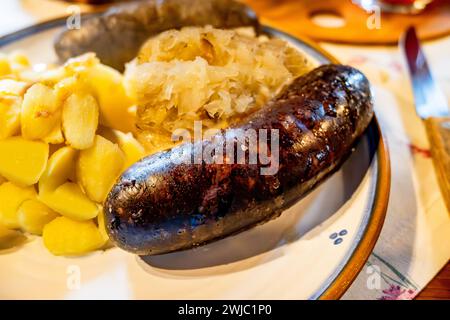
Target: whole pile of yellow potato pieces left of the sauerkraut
66,134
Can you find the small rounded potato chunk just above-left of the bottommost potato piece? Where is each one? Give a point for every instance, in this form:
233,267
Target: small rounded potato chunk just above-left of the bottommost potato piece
34,215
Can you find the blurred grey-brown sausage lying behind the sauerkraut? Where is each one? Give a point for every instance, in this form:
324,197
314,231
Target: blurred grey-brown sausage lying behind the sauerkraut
117,35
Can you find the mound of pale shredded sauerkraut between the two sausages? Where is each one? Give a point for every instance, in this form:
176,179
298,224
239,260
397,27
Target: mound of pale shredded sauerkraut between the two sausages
213,75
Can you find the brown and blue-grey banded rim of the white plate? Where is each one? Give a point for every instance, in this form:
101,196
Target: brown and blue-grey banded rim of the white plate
339,285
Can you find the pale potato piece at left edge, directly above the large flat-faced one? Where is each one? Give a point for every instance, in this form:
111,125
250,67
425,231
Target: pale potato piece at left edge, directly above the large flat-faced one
9,116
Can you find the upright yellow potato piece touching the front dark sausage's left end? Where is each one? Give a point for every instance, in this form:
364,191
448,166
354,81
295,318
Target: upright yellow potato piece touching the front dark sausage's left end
98,167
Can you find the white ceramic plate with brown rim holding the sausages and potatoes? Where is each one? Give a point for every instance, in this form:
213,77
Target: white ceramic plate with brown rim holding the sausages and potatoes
314,250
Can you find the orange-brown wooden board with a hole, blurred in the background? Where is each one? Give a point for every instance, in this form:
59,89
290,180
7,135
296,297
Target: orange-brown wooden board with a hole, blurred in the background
294,16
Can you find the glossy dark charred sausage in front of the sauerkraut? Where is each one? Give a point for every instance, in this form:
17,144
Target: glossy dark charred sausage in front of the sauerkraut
159,206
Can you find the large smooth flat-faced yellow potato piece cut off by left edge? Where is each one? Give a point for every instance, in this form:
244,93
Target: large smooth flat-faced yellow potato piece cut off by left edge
23,161
